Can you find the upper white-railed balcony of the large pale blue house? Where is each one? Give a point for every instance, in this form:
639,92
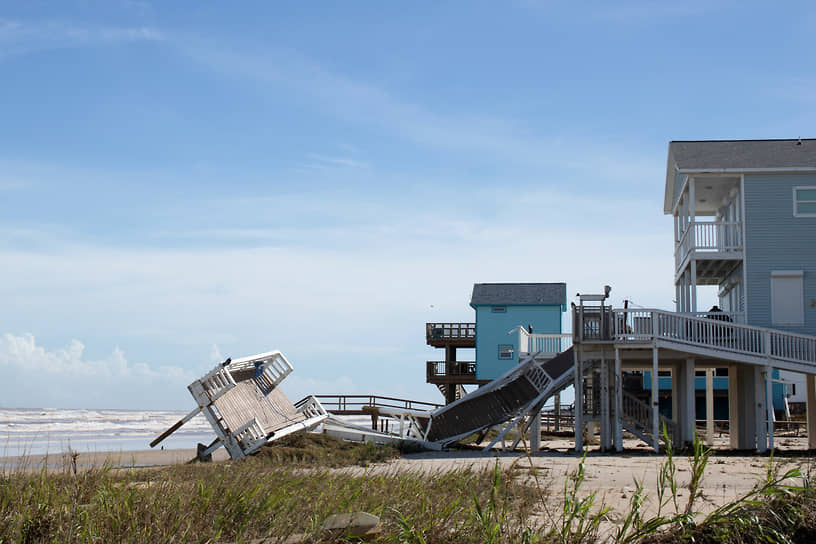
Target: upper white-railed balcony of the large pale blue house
717,246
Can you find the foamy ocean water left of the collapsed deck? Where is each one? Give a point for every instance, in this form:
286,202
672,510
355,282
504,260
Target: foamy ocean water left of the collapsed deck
31,431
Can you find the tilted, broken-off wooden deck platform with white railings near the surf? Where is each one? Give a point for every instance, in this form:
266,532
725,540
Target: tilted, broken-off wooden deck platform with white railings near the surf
245,406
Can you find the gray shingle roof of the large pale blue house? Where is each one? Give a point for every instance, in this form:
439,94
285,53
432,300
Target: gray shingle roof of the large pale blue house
742,154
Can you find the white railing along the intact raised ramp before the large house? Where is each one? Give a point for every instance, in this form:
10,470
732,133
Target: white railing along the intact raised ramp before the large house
716,331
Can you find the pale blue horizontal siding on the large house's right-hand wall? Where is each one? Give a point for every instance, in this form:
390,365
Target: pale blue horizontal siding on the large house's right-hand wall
776,240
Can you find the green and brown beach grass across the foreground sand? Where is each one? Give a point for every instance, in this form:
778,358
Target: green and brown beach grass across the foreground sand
278,494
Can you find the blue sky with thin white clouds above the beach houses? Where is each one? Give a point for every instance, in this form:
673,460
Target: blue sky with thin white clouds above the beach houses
184,182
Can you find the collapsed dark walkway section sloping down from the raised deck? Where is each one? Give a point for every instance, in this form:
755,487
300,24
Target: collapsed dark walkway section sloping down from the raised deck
520,392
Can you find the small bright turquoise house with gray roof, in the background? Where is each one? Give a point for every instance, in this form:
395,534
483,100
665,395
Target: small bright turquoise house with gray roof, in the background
501,307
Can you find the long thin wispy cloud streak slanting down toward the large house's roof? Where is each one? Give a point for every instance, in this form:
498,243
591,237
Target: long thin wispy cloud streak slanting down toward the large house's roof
503,139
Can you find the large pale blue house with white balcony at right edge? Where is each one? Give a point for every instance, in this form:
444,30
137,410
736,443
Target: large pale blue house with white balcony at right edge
745,221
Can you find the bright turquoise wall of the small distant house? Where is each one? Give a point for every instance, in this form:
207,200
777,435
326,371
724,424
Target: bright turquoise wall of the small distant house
491,332
